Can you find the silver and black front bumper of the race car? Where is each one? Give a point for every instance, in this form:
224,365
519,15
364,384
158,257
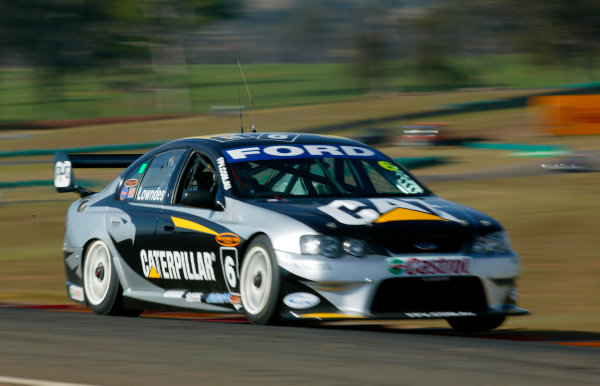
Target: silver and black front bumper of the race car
351,287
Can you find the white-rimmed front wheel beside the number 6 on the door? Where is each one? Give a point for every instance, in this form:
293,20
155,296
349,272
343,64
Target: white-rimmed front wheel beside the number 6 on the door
260,282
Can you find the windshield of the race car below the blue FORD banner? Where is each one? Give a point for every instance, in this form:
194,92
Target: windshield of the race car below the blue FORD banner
321,177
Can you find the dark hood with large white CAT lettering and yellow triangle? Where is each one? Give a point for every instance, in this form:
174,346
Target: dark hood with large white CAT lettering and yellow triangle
394,223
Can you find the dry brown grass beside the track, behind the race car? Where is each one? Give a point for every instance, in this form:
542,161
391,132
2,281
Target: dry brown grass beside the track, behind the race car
553,219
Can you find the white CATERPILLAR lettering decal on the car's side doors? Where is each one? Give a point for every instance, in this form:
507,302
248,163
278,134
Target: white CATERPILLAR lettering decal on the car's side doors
177,264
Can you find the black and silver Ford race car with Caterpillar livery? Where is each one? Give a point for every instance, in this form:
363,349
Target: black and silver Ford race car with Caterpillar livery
282,227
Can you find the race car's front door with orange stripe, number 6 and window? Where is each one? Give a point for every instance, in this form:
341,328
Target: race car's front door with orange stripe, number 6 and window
204,254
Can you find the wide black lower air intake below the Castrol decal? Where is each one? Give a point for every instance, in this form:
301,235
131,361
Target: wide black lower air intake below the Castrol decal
416,294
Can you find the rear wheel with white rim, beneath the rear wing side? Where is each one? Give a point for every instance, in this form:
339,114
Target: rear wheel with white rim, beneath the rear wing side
101,285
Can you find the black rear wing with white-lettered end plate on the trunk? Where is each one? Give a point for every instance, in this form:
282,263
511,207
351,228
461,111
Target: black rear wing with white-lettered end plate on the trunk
64,178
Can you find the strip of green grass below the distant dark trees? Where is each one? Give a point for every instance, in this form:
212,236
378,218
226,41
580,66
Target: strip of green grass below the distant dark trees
194,89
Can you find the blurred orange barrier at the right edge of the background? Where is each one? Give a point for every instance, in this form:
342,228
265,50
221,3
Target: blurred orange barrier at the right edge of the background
566,114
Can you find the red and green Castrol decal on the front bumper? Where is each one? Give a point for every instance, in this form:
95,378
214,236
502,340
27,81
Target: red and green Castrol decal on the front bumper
436,266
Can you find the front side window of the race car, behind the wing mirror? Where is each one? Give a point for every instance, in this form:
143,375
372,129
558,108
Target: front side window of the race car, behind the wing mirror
199,174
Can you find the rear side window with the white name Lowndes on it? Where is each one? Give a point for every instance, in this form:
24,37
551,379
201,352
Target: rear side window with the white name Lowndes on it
156,180
